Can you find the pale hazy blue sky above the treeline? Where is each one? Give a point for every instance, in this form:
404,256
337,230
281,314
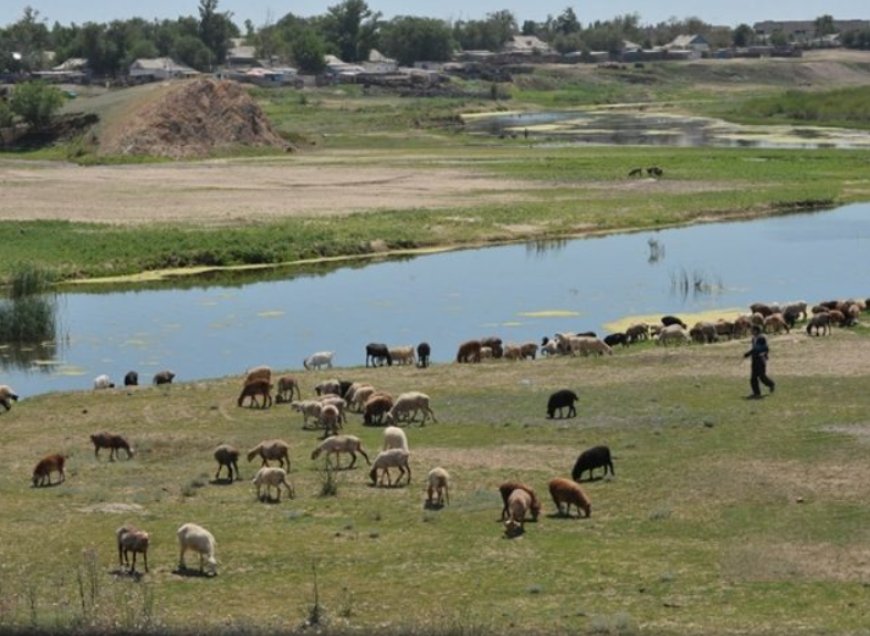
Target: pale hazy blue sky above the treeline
260,12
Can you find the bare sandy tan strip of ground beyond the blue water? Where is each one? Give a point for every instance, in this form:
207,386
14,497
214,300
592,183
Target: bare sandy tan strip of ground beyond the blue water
231,192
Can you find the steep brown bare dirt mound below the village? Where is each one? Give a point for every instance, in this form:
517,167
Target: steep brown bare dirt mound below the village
192,118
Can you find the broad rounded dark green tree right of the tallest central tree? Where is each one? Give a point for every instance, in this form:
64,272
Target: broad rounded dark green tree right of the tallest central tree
411,39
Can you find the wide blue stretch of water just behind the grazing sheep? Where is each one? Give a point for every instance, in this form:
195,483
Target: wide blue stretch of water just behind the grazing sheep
518,292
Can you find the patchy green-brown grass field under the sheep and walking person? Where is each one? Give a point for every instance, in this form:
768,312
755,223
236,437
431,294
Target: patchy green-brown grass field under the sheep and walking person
725,515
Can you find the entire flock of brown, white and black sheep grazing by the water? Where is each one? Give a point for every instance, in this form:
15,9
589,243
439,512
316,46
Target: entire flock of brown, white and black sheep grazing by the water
334,399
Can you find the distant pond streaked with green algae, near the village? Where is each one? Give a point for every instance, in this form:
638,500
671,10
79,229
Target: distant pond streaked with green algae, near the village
631,127
